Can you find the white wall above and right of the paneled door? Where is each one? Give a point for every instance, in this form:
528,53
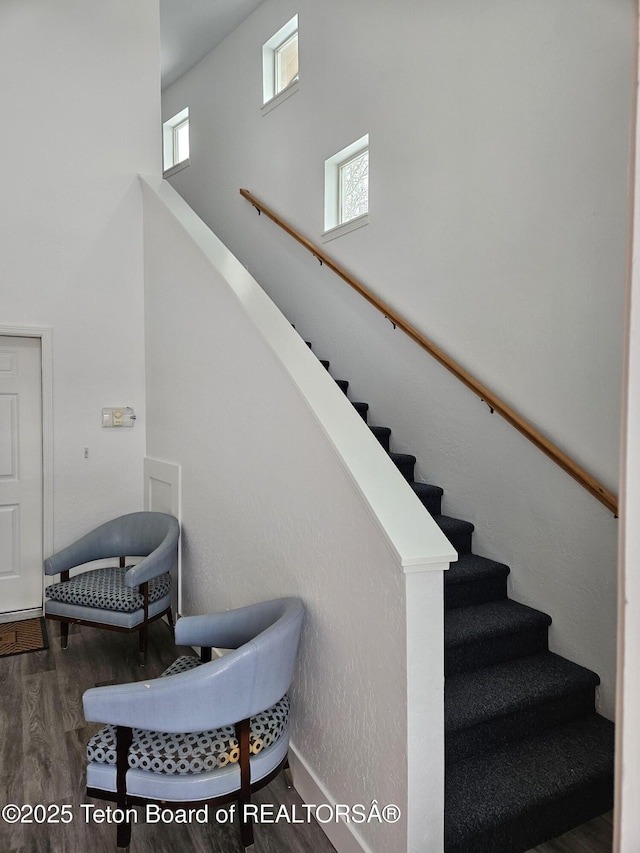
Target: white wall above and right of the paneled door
80,97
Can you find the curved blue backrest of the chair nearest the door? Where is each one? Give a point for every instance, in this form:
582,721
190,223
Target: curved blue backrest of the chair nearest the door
136,534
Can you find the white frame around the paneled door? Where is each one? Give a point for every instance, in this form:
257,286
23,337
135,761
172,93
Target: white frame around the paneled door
44,333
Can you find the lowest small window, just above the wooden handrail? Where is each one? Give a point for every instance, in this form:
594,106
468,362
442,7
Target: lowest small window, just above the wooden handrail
346,188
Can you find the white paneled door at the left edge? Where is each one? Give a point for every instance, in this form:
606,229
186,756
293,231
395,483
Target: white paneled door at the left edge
20,474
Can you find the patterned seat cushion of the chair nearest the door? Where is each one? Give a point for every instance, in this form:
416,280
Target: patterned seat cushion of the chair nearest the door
105,588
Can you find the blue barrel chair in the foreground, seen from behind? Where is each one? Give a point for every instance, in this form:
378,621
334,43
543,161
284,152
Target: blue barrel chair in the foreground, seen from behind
205,732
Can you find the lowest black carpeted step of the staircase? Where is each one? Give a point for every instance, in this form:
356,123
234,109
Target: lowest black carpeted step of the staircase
509,800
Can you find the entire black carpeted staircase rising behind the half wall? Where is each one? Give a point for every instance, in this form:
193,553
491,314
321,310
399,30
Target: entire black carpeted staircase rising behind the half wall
527,757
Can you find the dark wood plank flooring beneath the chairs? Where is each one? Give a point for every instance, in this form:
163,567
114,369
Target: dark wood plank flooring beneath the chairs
43,736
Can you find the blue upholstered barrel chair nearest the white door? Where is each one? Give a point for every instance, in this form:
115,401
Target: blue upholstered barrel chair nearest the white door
119,598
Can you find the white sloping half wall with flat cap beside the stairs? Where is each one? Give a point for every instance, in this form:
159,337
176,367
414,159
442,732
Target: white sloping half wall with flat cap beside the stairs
285,492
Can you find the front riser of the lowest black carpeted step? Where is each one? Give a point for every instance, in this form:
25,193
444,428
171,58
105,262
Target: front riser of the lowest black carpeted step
549,820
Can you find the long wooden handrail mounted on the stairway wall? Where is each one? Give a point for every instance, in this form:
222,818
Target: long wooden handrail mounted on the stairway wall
495,403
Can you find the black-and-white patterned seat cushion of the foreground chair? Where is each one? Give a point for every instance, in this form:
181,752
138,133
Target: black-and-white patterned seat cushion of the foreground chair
165,752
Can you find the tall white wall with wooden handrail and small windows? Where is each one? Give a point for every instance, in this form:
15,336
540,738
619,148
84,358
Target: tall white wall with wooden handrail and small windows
499,166
